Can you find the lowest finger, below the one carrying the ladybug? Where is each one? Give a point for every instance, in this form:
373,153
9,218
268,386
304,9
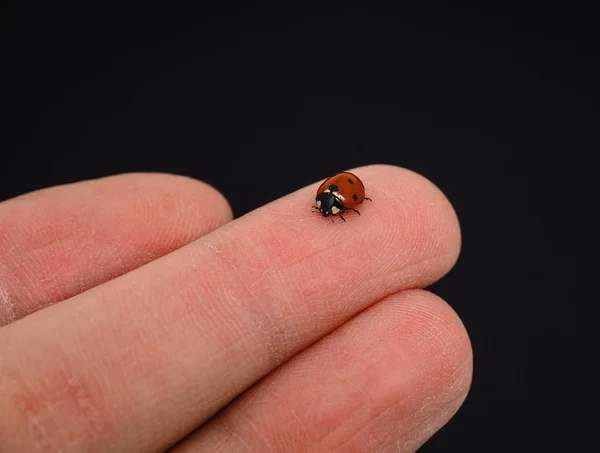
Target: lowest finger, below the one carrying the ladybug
385,381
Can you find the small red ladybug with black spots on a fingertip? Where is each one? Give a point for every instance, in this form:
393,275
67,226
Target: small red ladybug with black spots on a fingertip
340,193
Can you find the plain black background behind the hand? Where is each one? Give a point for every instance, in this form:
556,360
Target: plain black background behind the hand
494,104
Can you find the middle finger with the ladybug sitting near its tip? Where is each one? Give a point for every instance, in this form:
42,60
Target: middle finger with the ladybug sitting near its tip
158,351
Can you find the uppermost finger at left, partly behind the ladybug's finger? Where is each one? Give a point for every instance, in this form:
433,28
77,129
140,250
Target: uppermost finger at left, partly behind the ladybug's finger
58,242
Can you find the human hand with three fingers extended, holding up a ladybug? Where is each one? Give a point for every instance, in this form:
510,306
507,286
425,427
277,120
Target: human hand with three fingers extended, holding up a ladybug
137,317
